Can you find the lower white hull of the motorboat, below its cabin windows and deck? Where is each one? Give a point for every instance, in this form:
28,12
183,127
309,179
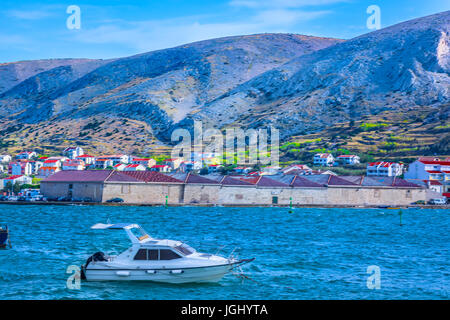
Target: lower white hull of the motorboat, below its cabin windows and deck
186,275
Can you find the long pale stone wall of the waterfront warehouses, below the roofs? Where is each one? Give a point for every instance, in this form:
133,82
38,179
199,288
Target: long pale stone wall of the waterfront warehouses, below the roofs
155,193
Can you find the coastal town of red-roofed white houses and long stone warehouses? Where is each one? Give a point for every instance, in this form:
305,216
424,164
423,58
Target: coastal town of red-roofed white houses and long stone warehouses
75,176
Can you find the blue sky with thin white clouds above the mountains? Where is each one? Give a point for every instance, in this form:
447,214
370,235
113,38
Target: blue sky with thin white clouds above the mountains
116,28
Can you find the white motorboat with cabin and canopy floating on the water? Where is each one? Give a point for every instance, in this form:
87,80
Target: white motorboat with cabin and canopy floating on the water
150,259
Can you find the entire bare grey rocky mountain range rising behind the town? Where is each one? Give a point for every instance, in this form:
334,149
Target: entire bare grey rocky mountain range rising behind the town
301,85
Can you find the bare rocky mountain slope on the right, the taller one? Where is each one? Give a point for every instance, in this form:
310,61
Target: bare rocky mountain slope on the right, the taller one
401,68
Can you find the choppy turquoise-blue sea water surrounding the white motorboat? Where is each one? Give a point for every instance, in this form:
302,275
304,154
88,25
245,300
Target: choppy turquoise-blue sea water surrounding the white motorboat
308,254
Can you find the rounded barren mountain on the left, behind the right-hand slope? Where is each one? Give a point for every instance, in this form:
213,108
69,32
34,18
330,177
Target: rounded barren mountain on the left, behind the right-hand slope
157,89
